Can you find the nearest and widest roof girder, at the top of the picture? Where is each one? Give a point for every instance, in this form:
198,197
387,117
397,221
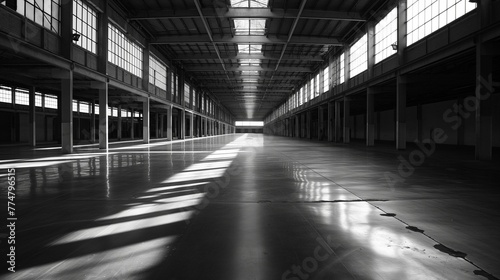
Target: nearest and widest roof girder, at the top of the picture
248,13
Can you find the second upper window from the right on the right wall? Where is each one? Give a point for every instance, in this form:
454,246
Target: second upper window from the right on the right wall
386,34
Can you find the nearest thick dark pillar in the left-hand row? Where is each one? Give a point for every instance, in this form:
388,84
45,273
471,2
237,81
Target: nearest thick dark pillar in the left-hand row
67,112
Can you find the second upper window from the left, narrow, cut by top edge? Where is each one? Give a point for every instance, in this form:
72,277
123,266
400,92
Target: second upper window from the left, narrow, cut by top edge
85,24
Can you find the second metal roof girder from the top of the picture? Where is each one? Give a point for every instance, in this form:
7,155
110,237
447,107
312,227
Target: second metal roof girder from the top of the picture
245,39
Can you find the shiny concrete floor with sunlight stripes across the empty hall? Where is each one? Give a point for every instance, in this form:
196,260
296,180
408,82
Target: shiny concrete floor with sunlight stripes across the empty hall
248,206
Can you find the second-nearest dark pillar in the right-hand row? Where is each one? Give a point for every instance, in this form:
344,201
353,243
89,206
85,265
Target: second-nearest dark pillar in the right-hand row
401,112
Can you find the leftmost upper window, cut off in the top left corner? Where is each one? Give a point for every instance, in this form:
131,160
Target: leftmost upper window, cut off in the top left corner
44,12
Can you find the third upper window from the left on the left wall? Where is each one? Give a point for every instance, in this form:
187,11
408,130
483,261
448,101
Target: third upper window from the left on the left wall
124,53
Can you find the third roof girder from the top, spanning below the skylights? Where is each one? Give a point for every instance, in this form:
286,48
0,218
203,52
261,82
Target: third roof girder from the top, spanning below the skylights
249,56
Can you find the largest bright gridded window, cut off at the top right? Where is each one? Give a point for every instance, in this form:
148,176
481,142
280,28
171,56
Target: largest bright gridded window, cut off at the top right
427,16
